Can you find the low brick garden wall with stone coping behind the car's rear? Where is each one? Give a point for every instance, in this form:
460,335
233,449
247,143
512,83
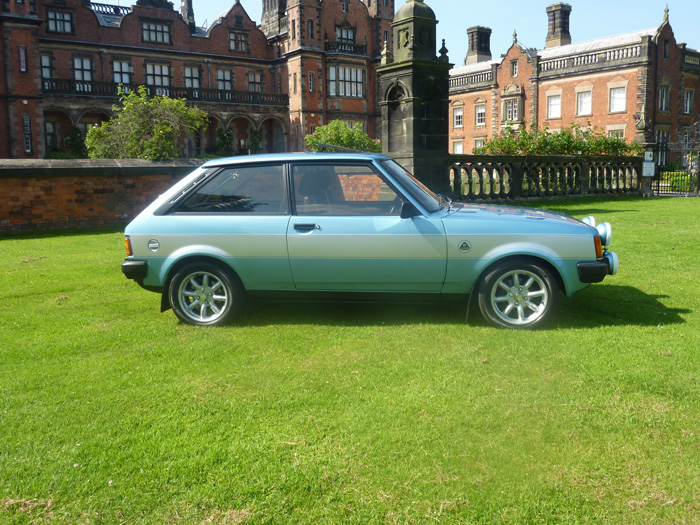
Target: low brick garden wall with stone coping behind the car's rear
61,194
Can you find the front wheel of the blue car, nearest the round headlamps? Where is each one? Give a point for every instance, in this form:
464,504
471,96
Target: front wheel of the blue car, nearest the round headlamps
518,295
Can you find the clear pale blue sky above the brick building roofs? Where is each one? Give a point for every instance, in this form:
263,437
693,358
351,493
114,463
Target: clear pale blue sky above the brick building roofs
590,19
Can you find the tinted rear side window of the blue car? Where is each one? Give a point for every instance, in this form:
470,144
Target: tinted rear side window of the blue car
251,189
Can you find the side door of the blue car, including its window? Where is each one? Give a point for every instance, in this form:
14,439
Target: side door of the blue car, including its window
347,234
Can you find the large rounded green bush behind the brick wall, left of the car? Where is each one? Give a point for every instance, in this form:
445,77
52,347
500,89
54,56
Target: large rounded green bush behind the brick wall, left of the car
144,127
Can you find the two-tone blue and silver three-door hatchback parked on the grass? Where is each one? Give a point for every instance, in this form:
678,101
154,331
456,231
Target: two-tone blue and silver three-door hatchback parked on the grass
352,227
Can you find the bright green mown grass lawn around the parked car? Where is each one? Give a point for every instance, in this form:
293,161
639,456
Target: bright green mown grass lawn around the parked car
111,412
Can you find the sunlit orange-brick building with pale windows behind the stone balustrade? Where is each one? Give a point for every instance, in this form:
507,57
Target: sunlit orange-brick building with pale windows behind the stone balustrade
609,84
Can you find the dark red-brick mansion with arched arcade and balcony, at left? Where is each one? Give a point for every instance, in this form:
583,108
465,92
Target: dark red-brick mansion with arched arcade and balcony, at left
309,62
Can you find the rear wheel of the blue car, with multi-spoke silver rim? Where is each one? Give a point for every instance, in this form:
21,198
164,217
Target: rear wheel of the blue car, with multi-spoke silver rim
203,294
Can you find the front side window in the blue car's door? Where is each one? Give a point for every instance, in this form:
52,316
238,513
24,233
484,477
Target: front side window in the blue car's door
342,190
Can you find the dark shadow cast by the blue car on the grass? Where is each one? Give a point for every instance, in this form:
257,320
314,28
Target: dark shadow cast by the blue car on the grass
595,307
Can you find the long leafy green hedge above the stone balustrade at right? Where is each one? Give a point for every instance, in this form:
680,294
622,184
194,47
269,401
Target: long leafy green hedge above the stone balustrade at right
568,141
